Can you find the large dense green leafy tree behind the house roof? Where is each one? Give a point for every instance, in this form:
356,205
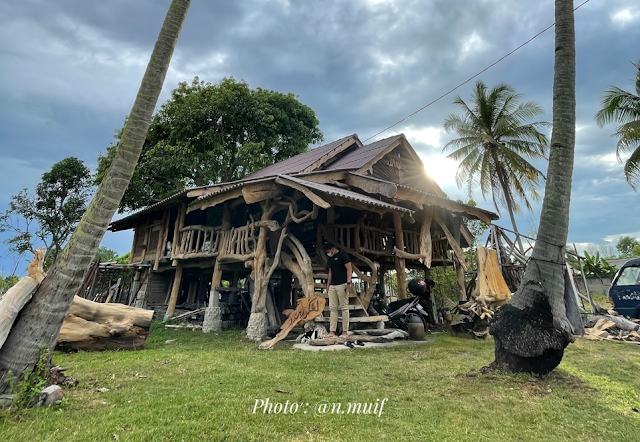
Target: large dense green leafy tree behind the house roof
210,133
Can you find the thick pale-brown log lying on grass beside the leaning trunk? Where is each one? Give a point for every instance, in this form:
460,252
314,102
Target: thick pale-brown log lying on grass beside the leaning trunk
94,326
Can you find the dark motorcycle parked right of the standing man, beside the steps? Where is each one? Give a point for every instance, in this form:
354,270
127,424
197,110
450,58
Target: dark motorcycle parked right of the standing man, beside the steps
400,312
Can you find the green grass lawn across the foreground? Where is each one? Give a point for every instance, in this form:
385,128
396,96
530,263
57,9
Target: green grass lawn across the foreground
204,388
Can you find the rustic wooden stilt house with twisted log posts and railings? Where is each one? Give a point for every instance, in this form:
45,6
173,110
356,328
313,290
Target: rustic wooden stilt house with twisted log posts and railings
374,201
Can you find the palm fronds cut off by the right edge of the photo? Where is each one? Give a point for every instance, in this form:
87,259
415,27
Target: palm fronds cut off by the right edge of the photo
624,107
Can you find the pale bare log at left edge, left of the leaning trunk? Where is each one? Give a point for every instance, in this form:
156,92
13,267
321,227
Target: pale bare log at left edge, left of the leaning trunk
18,295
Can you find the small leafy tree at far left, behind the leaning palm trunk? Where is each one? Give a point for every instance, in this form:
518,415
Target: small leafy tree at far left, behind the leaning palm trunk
49,217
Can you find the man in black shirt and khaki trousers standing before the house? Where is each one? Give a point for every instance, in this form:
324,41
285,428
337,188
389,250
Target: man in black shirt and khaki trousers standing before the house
338,285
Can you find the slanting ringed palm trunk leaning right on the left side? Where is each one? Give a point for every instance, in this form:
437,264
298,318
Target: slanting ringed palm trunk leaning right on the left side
39,323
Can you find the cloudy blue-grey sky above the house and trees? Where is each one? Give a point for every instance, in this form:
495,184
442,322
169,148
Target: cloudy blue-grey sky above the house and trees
70,69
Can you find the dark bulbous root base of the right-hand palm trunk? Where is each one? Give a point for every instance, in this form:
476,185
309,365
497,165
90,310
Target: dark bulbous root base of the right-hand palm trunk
527,341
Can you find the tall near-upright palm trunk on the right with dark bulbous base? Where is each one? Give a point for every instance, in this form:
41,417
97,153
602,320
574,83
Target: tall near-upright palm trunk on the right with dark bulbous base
532,330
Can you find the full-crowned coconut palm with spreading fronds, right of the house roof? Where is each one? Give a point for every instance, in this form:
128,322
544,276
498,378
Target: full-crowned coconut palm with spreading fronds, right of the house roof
495,144
